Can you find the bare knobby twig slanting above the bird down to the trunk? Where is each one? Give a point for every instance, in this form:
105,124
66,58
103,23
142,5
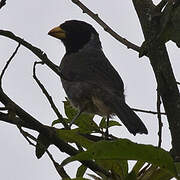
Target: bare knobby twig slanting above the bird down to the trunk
105,26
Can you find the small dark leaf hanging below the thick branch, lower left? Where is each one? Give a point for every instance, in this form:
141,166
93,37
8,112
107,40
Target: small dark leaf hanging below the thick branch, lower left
42,145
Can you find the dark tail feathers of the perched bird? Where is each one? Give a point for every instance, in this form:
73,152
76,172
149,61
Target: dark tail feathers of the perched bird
129,118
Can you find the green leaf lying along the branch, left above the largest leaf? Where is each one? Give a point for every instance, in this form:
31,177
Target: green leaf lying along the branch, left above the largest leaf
73,136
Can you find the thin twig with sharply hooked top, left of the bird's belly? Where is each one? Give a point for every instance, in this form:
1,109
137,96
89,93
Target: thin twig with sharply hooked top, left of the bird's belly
45,92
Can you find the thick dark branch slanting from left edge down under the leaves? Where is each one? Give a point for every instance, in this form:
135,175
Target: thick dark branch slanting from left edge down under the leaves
49,132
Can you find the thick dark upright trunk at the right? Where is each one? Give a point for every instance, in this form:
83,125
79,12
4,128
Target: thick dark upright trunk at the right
161,65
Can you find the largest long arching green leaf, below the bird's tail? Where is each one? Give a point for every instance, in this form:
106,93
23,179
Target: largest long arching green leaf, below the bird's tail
127,150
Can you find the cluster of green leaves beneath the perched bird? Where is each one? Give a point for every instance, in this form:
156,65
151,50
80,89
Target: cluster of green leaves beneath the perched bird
112,154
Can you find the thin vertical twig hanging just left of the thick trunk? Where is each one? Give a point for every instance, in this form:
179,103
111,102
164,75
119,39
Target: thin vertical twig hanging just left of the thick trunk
159,119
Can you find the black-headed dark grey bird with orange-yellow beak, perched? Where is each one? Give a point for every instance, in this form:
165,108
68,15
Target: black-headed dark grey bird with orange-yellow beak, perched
90,81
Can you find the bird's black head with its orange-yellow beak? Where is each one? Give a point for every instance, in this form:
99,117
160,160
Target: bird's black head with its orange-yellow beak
75,35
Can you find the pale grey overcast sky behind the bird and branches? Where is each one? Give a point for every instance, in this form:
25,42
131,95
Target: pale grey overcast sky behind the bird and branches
32,20
